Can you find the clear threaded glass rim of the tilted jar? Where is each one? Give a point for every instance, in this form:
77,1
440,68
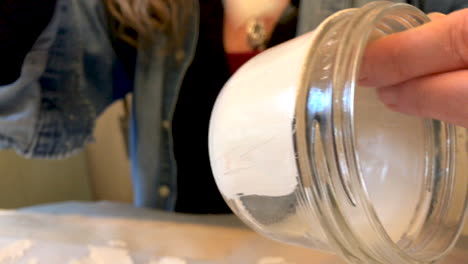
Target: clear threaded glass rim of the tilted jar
348,52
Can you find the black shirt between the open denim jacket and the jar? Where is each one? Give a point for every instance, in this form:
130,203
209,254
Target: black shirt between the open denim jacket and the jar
209,71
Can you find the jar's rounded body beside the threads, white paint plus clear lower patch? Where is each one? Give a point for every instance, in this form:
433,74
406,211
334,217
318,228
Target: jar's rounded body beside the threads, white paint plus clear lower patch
251,143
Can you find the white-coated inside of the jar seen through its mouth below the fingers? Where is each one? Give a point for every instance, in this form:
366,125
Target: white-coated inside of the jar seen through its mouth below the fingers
391,151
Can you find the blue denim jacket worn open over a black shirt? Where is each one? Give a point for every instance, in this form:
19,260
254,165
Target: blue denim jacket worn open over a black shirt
66,82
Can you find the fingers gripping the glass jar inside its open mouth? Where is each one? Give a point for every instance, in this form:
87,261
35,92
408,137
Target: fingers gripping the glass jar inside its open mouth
423,71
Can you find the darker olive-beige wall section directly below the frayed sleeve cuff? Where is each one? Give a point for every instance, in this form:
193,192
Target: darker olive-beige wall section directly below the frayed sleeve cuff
26,182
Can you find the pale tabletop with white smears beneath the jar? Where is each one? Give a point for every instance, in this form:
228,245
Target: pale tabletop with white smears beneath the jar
83,233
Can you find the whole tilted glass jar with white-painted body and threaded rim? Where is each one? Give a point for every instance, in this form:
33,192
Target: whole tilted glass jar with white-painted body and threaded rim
303,155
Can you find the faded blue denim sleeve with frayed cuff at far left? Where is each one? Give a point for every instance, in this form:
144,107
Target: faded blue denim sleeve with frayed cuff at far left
65,82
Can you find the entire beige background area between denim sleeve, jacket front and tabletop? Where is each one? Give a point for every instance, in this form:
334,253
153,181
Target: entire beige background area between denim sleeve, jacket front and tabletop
101,172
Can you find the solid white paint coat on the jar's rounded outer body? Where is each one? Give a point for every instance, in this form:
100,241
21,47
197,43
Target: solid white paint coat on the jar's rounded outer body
244,160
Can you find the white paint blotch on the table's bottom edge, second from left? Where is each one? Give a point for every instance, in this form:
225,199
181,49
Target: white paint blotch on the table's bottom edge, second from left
104,255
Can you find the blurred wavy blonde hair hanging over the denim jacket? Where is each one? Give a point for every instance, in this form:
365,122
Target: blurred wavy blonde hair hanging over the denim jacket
136,21
